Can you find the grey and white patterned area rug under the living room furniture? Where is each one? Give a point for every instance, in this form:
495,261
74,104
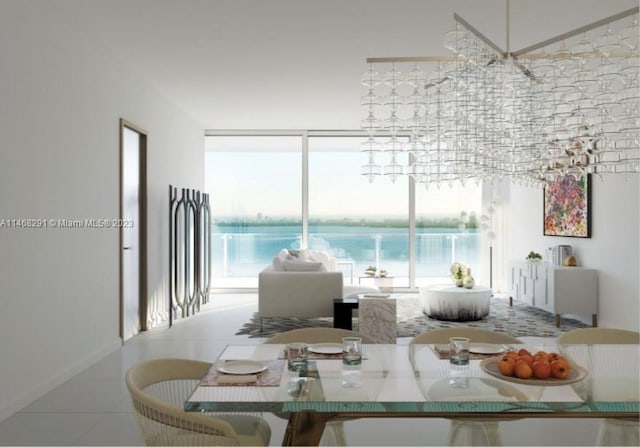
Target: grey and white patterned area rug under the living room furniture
520,320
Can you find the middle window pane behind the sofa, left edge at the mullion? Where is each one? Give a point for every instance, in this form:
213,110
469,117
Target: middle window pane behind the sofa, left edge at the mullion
358,222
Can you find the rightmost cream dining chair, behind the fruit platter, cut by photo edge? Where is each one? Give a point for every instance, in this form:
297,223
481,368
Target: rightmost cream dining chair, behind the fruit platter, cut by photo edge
612,431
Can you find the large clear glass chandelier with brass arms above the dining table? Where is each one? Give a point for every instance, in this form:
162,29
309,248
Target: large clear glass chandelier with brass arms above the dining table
565,106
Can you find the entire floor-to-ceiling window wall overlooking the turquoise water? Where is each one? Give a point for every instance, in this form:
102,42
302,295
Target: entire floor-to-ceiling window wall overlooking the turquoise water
271,191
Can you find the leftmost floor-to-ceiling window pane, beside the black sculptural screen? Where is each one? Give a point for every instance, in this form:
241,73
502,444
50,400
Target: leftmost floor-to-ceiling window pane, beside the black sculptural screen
254,186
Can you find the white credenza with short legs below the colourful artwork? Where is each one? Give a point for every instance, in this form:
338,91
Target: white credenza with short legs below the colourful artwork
556,289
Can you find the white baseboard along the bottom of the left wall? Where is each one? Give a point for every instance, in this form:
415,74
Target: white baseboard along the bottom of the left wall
8,409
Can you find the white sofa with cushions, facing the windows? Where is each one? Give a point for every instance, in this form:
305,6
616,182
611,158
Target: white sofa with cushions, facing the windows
306,290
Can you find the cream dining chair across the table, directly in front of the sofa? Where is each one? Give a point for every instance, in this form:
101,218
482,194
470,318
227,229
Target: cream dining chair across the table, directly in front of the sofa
334,430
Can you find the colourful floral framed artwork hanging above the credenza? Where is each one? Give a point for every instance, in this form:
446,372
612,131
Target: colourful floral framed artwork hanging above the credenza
567,207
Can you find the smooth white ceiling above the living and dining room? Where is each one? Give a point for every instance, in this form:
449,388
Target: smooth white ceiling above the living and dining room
296,64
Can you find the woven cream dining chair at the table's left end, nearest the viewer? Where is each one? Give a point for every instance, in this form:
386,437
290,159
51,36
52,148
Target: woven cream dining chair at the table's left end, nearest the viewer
158,389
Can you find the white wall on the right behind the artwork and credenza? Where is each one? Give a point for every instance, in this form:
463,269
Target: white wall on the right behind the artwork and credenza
613,248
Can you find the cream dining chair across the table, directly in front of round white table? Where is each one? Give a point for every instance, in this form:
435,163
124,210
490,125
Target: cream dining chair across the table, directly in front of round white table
469,431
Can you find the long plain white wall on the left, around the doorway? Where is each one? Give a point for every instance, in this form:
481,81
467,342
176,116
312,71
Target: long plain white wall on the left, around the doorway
62,97
